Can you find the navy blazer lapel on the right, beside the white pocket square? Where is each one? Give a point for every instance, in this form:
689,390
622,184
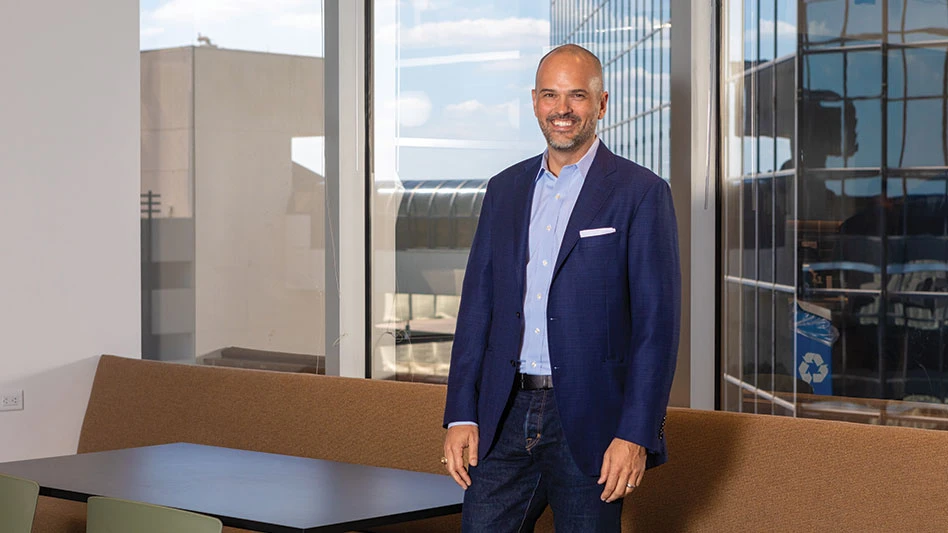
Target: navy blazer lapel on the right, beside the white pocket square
596,189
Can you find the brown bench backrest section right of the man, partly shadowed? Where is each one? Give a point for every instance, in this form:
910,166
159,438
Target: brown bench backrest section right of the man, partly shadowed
742,472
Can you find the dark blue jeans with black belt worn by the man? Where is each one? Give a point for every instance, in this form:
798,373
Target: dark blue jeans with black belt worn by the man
529,468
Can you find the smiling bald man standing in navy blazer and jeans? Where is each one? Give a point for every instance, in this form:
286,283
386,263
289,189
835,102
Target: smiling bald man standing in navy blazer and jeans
568,327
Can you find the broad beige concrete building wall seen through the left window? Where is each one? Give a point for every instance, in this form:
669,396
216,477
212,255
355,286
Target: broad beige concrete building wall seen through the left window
259,263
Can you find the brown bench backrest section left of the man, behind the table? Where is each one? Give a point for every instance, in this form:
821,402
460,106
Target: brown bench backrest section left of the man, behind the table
381,423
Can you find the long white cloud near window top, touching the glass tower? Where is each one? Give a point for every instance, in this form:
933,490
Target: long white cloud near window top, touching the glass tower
478,33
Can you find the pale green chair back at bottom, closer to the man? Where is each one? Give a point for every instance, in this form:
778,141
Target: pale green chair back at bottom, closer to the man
112,515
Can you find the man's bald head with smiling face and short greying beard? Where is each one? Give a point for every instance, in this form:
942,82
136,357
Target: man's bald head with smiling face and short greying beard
568,100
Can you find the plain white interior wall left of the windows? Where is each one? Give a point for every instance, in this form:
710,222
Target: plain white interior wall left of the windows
69,222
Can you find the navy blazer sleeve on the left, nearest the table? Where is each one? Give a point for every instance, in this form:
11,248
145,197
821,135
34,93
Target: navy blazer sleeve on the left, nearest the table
473,323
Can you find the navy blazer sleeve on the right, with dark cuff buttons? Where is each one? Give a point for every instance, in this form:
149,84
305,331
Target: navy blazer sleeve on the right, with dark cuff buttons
655,300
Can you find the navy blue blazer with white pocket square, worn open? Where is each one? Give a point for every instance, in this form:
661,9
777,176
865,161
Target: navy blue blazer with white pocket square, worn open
613,310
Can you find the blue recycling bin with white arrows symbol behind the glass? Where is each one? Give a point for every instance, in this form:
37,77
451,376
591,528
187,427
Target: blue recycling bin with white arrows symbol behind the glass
815,337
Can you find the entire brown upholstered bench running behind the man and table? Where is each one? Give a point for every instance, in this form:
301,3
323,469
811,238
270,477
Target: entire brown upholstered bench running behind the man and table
727,471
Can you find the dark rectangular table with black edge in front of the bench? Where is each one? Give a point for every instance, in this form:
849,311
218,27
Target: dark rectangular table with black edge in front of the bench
244,489
